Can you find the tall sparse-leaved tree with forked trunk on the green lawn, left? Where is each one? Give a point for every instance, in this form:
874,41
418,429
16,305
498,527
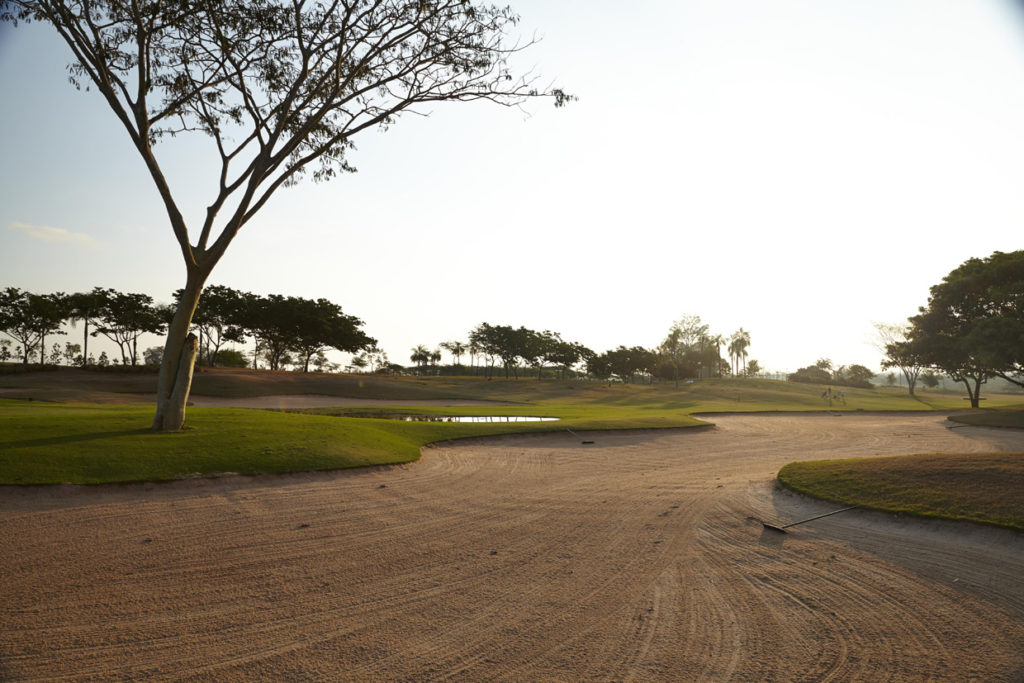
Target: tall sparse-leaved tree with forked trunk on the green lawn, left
281,88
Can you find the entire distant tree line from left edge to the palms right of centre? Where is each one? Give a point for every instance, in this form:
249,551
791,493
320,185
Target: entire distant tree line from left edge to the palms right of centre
295,332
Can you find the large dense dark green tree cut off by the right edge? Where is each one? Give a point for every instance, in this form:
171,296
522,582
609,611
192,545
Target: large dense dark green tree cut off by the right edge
973,326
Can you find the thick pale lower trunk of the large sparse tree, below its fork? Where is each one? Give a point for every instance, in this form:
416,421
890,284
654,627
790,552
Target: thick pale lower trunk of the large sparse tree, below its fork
180,359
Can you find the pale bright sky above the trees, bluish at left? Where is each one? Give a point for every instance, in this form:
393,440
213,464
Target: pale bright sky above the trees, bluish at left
797,169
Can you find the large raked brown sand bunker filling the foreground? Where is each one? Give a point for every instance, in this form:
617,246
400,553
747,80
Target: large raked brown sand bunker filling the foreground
530,559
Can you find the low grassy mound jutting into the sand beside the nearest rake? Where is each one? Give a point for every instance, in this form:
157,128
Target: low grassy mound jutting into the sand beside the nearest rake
977,488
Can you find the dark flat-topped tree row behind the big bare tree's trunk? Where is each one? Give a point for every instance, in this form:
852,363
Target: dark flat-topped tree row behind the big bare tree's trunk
285,330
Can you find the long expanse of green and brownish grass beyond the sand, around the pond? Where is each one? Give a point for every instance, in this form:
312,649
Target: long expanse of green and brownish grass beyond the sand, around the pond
44,443
